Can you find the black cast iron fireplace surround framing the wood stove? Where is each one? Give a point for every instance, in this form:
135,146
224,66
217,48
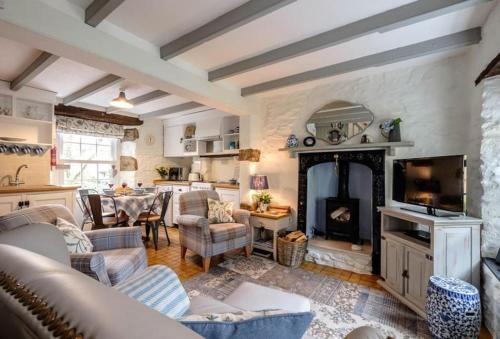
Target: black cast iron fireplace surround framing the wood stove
375,160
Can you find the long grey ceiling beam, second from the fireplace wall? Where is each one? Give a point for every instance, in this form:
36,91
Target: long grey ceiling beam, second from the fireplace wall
394,18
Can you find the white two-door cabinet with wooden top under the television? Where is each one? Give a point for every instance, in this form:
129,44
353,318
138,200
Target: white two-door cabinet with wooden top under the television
407,263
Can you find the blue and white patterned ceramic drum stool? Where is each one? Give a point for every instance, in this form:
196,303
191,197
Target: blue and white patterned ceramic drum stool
453,309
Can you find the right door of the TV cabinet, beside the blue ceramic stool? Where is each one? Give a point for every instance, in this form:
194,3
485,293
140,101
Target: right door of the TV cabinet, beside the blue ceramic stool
418,271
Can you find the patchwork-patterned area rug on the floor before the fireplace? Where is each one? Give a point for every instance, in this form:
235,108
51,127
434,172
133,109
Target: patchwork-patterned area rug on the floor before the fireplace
339,306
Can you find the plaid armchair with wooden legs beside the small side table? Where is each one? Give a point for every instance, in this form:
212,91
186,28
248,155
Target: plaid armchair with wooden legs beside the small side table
205,239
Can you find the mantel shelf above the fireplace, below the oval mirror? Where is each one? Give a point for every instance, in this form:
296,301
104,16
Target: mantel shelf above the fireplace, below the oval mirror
390,147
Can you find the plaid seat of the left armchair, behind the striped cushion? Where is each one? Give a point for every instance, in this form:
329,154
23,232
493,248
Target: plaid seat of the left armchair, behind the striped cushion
122,263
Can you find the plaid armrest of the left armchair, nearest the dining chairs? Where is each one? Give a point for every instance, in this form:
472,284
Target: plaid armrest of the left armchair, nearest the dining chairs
115,238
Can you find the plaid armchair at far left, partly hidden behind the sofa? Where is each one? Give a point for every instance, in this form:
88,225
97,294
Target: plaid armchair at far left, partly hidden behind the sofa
118,253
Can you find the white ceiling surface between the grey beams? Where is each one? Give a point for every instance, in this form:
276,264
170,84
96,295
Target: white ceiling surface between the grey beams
156,22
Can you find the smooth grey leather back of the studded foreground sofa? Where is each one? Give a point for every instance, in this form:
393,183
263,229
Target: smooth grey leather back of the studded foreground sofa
96,311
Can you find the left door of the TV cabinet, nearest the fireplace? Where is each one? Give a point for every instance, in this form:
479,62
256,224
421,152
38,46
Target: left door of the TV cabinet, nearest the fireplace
394,265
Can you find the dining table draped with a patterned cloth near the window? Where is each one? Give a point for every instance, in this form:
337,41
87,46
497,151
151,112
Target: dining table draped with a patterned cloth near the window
133,204
